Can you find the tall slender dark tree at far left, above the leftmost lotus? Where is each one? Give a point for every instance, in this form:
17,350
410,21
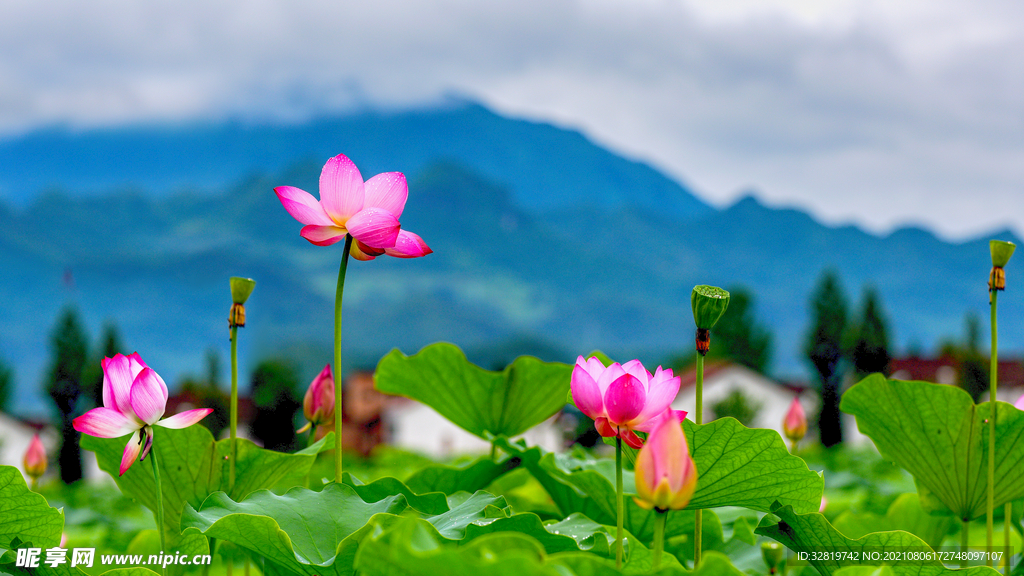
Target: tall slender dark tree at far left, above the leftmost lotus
70,348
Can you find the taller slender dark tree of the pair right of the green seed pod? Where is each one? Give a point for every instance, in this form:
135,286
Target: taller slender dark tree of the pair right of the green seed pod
824,349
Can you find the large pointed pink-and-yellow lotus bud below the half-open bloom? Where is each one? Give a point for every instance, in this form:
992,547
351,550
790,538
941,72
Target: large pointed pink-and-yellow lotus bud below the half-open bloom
666,476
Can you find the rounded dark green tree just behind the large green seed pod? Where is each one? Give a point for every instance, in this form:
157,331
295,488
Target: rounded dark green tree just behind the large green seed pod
738,335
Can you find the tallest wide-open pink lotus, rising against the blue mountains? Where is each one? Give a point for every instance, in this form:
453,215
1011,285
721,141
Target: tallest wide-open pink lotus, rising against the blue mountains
368,211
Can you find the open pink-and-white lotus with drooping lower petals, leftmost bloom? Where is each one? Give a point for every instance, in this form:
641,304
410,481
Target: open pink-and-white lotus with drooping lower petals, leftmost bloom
135,401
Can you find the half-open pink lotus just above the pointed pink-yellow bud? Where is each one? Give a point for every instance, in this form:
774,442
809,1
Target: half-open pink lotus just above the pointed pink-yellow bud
624,399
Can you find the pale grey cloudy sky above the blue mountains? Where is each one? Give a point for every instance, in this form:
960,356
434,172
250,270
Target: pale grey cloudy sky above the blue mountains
872,112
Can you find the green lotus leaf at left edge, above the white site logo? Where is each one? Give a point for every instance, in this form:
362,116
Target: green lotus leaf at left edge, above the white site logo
25,515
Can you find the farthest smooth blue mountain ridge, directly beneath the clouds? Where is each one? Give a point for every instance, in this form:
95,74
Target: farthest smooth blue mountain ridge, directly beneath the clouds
543,167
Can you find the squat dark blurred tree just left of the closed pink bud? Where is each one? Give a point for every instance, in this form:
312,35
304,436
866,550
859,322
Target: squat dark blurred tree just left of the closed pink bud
275,395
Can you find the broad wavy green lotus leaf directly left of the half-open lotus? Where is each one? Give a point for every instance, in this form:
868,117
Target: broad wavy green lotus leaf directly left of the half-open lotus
484,403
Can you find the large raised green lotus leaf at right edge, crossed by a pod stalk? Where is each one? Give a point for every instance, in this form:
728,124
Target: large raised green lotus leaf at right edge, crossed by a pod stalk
941,436
